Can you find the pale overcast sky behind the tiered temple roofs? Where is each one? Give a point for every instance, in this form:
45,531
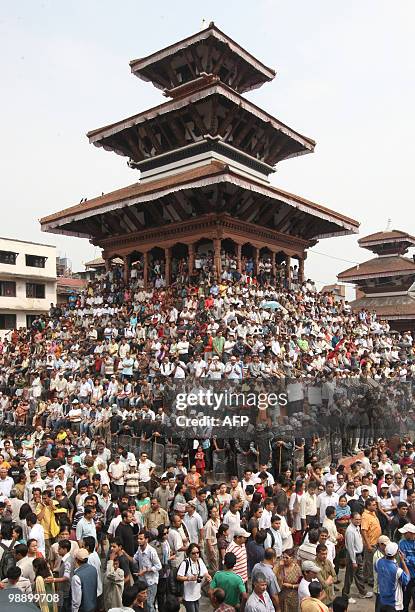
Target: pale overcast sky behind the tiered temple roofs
345,77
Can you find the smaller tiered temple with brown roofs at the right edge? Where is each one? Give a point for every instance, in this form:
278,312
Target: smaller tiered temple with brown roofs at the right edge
386,283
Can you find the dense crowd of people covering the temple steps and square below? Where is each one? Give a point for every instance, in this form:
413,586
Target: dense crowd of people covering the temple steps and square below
94,517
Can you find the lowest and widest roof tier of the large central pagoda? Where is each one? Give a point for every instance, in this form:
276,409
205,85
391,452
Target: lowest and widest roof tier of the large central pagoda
252,200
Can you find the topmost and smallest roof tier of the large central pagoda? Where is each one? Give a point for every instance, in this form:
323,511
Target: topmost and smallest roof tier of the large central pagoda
206,55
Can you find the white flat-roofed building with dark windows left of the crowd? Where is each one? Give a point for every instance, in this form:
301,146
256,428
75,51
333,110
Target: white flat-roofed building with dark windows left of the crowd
27,282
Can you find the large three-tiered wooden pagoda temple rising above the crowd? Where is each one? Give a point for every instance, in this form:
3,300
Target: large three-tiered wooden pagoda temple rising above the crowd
204,157
